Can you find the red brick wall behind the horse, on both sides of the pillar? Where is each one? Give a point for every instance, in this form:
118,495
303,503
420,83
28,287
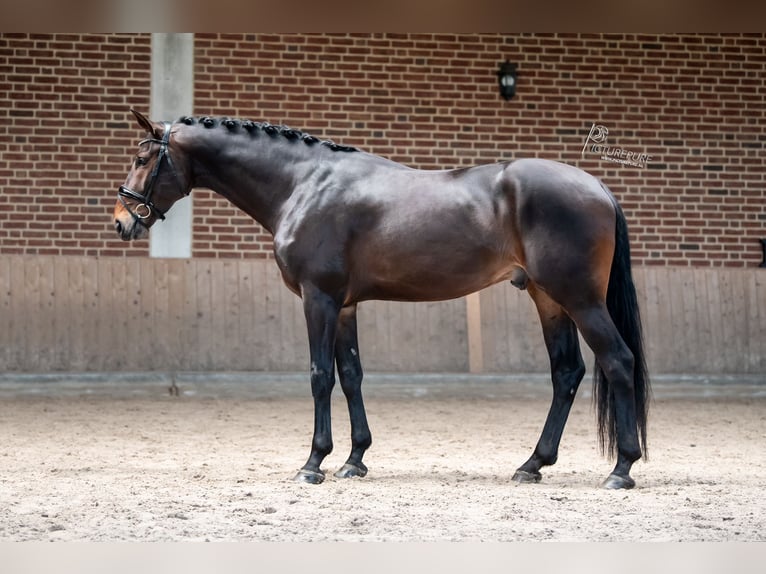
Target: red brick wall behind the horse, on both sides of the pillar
694,102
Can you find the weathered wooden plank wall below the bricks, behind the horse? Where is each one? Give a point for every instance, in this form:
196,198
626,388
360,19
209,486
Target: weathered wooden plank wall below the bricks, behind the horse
141,314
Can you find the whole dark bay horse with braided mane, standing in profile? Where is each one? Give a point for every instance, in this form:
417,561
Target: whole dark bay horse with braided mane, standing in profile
349,226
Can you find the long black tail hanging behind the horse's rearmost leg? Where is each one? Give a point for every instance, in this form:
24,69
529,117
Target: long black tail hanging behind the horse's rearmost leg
622,304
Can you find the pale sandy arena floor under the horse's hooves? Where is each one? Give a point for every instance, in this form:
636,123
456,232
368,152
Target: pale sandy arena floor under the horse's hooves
102,458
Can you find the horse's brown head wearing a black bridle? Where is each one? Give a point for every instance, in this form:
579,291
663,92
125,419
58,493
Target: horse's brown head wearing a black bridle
151,188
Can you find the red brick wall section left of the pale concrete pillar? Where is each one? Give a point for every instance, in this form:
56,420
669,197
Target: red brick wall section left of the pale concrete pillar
65,138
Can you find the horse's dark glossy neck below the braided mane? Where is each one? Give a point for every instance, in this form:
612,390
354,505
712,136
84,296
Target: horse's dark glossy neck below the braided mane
256,174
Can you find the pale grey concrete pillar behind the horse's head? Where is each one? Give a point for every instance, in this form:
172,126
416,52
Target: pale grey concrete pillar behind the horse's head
172,96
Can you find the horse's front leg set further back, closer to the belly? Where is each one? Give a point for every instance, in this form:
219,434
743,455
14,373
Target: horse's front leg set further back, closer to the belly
350,372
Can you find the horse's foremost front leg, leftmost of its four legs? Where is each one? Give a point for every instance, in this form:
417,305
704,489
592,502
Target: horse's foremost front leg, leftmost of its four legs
321,319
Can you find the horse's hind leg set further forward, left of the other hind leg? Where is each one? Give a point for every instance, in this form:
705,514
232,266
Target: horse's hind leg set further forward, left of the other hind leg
567,371
